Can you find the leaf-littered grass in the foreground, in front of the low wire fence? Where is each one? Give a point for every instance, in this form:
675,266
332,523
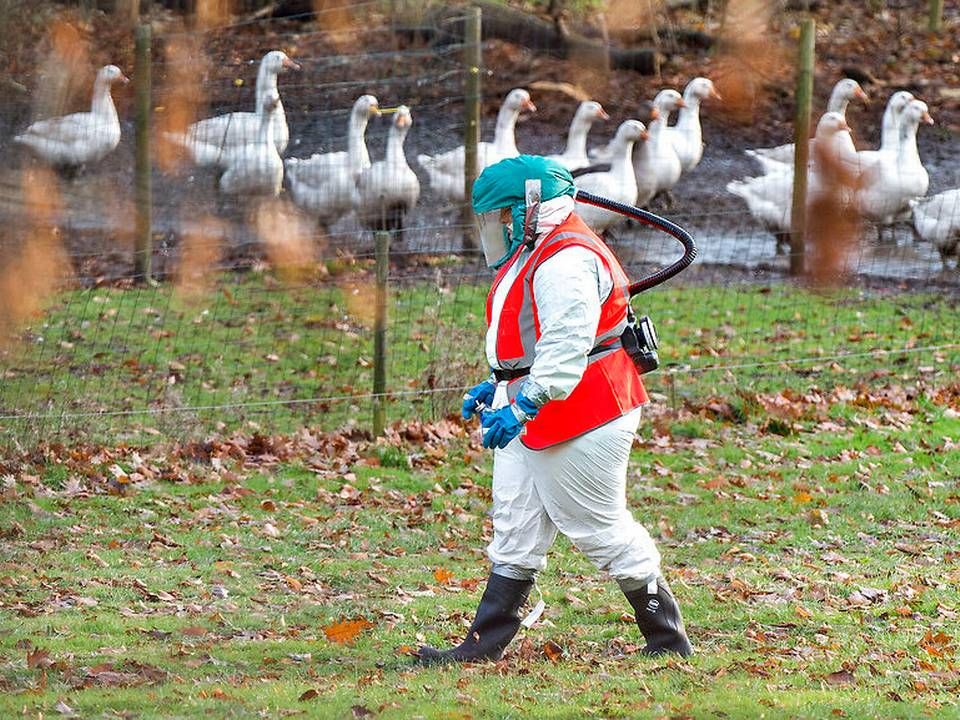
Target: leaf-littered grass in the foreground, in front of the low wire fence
769,590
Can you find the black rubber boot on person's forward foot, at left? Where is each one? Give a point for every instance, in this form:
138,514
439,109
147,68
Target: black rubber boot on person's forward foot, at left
497,621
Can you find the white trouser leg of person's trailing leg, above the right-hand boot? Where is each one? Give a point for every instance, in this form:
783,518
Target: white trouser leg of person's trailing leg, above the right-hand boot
582,487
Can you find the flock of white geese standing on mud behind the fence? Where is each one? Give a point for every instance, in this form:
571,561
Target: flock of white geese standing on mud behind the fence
638,164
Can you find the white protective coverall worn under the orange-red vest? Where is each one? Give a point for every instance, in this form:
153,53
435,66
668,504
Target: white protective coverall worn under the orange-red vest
577,487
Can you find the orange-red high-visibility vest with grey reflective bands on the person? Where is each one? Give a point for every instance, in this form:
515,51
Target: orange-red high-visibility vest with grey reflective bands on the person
610,386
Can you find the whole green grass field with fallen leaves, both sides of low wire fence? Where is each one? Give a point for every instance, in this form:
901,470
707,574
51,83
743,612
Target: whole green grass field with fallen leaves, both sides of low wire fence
808,515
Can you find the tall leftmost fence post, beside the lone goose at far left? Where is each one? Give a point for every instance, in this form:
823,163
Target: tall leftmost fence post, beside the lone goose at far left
141,77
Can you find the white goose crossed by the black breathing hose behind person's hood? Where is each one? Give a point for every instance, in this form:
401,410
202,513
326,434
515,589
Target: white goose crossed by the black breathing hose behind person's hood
618,183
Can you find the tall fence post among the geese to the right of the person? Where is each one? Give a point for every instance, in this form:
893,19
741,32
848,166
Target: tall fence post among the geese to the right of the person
801,152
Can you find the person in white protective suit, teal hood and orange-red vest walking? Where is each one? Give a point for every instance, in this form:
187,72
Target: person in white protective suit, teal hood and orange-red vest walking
561,408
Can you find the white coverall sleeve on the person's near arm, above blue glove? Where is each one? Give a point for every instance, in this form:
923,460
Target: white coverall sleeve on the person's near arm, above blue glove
568,290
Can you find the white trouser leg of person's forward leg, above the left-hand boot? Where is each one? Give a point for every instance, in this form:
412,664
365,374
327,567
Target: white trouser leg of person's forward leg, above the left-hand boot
522,530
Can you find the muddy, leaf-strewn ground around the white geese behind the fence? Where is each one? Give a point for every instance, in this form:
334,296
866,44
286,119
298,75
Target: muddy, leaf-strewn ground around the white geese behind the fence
96,217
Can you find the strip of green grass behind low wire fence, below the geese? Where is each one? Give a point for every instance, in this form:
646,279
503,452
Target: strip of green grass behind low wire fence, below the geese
133,364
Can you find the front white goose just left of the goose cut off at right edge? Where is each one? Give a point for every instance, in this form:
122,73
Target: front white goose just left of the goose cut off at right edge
888,185
